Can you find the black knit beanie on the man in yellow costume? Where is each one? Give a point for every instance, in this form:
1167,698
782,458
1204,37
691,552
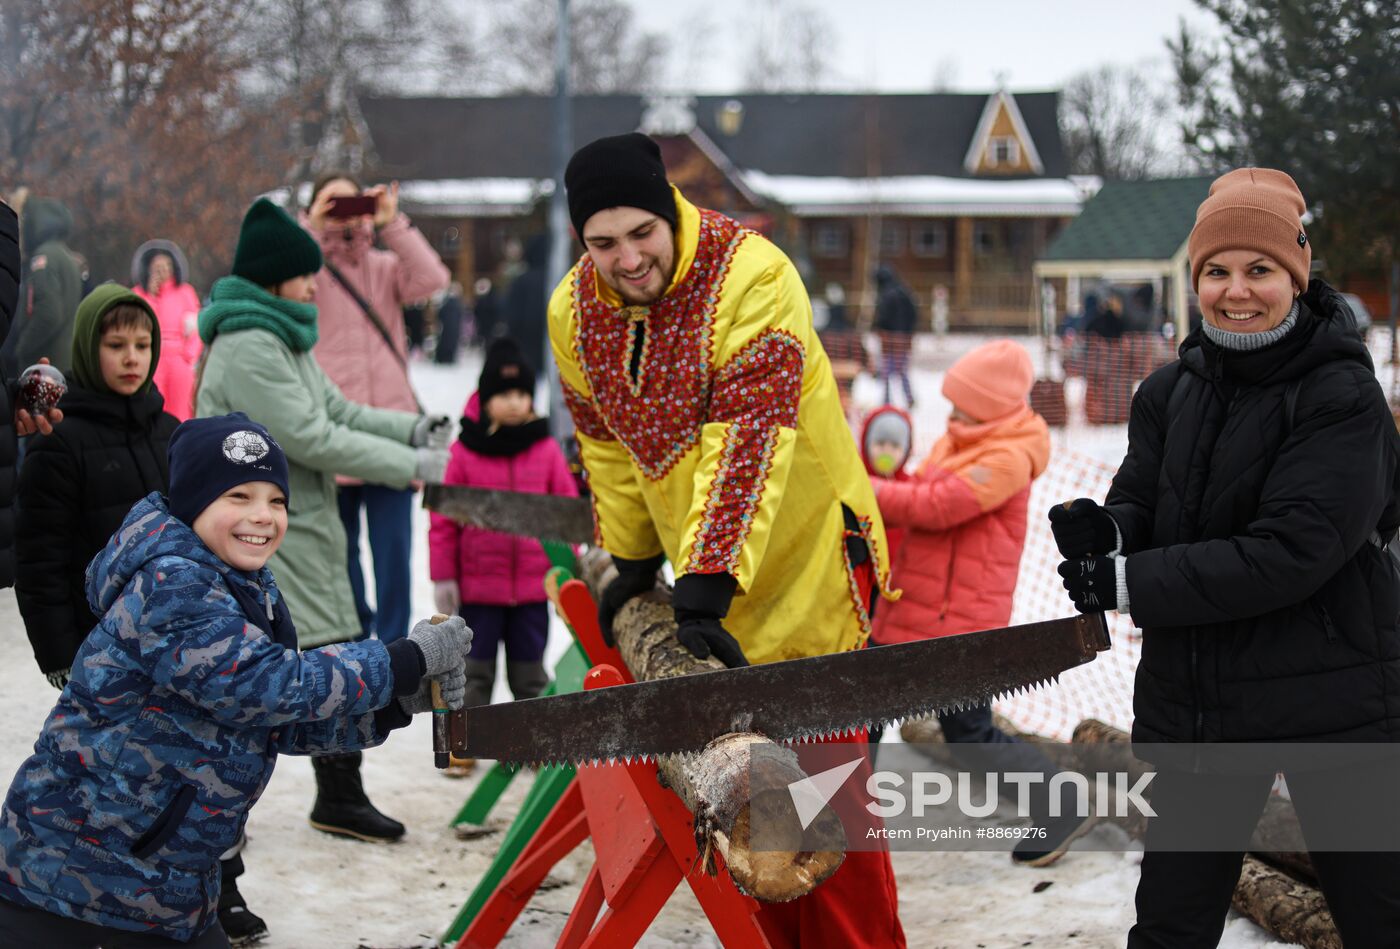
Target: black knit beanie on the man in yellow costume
618,171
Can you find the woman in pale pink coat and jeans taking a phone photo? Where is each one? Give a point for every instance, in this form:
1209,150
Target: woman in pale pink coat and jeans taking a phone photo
370,369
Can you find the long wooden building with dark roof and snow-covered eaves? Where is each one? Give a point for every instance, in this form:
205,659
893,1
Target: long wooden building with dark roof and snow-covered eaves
954,191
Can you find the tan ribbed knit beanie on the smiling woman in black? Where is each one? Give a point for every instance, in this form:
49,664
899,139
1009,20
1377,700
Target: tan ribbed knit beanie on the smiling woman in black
1252,209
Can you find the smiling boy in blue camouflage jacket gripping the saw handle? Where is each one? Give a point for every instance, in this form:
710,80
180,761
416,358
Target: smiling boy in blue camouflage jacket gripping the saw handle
181,699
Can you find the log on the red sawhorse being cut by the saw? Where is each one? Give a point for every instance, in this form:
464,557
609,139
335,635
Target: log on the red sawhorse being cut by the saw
740,779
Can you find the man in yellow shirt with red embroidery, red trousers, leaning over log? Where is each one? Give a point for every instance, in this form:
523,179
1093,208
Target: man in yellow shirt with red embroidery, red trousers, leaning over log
713,436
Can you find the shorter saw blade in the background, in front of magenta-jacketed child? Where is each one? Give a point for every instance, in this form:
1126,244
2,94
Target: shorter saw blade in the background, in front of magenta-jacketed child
544,517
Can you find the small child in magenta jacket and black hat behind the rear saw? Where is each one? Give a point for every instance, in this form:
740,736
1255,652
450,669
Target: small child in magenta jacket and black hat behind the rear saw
496,582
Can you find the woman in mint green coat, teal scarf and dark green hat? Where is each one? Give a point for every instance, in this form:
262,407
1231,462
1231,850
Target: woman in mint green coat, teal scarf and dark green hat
258,334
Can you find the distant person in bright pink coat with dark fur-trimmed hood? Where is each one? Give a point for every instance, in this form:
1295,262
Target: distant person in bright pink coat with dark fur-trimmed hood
160,278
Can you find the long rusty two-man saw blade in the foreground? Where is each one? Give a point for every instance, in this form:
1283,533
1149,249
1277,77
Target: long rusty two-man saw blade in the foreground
799,701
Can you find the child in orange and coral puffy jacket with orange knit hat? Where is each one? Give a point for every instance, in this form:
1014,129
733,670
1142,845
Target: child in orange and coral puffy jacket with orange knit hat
962,516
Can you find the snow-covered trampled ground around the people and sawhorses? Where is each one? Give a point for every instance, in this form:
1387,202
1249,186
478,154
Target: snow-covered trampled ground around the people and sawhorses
318,892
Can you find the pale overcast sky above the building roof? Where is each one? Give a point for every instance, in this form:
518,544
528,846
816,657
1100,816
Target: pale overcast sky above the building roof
918,45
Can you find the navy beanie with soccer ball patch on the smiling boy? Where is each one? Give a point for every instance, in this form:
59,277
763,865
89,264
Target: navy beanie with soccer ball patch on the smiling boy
211,456
